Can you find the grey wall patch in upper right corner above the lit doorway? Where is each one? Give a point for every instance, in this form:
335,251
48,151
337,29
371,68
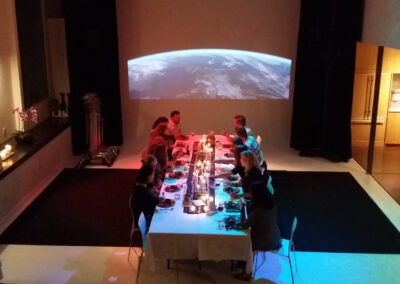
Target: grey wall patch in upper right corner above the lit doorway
382,23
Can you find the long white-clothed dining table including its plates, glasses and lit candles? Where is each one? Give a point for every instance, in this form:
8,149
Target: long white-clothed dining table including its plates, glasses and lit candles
199,217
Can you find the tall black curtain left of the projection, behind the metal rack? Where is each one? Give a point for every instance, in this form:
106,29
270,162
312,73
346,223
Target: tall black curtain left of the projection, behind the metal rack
92,47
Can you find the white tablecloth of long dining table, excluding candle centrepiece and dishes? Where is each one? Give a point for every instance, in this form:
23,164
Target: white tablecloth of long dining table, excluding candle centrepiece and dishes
176,235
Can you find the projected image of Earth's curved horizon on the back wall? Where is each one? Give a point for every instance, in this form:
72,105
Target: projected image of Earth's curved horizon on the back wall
209,74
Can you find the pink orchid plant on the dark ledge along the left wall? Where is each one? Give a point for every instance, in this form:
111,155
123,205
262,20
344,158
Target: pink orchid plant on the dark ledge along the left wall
24,123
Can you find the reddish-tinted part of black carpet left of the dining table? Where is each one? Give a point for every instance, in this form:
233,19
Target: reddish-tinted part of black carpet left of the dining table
87,207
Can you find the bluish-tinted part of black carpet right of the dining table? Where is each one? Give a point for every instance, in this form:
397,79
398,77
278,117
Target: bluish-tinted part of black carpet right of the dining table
334,214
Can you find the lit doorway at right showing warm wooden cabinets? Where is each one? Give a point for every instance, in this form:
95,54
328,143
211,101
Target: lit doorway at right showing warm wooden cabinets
386,151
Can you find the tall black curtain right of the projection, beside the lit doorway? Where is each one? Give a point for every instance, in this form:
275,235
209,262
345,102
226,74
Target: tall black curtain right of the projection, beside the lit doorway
328,33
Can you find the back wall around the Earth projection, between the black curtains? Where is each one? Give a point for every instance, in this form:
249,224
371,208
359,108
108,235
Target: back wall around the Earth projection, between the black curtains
152,26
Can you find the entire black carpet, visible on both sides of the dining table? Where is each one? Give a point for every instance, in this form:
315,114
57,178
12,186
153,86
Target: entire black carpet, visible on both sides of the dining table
90,207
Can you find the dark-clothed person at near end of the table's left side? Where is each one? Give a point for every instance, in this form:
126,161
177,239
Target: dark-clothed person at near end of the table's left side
144,199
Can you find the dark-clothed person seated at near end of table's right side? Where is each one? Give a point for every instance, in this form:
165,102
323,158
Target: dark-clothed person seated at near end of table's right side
262,221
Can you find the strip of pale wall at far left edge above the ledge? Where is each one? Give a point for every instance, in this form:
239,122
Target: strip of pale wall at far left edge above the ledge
10,90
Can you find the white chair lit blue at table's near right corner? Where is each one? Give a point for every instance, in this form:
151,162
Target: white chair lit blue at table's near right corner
286,250
